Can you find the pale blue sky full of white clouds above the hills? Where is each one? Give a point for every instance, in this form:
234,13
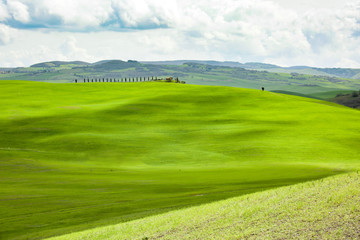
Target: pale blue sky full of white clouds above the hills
324,33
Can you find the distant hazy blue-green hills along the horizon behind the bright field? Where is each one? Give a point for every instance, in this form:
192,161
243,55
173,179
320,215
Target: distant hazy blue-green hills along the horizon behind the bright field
249,75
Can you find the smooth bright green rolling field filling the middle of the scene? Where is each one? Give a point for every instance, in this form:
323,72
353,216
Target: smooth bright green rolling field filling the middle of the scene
78,156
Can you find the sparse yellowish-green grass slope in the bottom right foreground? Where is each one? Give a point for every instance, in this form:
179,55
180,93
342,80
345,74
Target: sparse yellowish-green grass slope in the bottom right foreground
324,209
